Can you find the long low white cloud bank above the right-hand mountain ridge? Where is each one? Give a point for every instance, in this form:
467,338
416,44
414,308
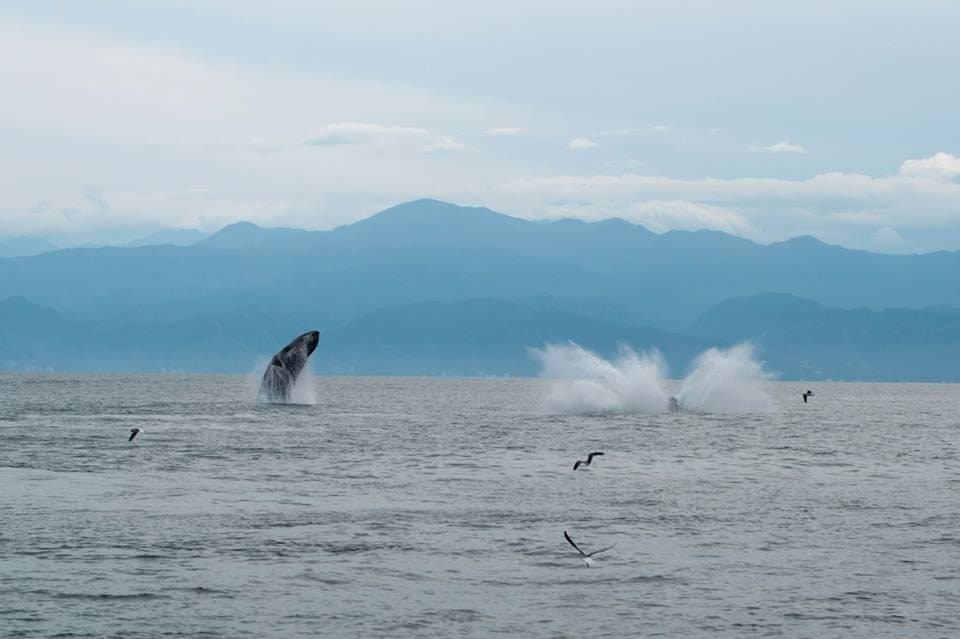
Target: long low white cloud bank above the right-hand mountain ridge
840,207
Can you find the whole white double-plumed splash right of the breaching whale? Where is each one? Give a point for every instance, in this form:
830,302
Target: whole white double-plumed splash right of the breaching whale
722,381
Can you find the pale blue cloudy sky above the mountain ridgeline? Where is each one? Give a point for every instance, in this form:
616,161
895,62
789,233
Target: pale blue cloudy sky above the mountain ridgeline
763,119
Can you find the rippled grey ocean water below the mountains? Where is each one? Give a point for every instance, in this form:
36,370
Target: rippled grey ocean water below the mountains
436,508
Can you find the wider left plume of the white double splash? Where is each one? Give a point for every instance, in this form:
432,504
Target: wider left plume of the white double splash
587,383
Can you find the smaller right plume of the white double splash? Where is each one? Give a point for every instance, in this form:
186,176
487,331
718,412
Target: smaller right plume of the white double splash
726,381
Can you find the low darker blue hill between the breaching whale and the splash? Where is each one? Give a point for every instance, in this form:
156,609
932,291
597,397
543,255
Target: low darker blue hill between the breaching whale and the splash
479,337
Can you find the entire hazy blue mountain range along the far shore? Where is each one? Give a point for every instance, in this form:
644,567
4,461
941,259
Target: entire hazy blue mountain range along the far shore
428,287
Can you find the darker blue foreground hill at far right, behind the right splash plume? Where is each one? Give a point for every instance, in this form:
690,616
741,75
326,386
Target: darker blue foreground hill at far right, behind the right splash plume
804,339
